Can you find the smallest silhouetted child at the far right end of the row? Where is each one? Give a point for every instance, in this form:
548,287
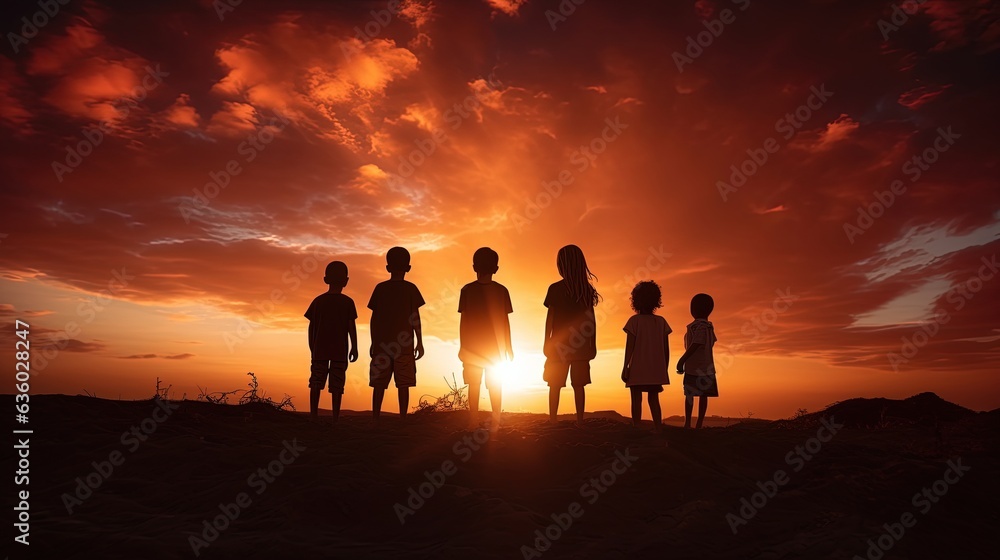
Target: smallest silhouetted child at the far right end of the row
699,377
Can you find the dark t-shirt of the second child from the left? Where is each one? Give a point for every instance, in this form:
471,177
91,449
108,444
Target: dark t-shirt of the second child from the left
394,305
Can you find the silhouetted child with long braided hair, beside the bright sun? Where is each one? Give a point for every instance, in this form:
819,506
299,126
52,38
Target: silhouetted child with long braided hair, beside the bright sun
570,329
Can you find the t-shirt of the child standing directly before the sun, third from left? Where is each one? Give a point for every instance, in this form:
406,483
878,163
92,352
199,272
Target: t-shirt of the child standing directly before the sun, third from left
484,325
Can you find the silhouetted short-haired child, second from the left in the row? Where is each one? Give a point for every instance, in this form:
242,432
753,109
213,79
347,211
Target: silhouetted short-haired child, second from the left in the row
395,326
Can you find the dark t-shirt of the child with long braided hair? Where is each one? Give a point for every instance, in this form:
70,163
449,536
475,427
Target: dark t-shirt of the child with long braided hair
573,326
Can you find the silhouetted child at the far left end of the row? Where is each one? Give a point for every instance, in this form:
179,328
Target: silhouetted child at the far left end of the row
331,324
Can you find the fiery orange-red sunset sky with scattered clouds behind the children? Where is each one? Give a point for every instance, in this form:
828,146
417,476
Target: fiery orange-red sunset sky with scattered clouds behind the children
176,176
